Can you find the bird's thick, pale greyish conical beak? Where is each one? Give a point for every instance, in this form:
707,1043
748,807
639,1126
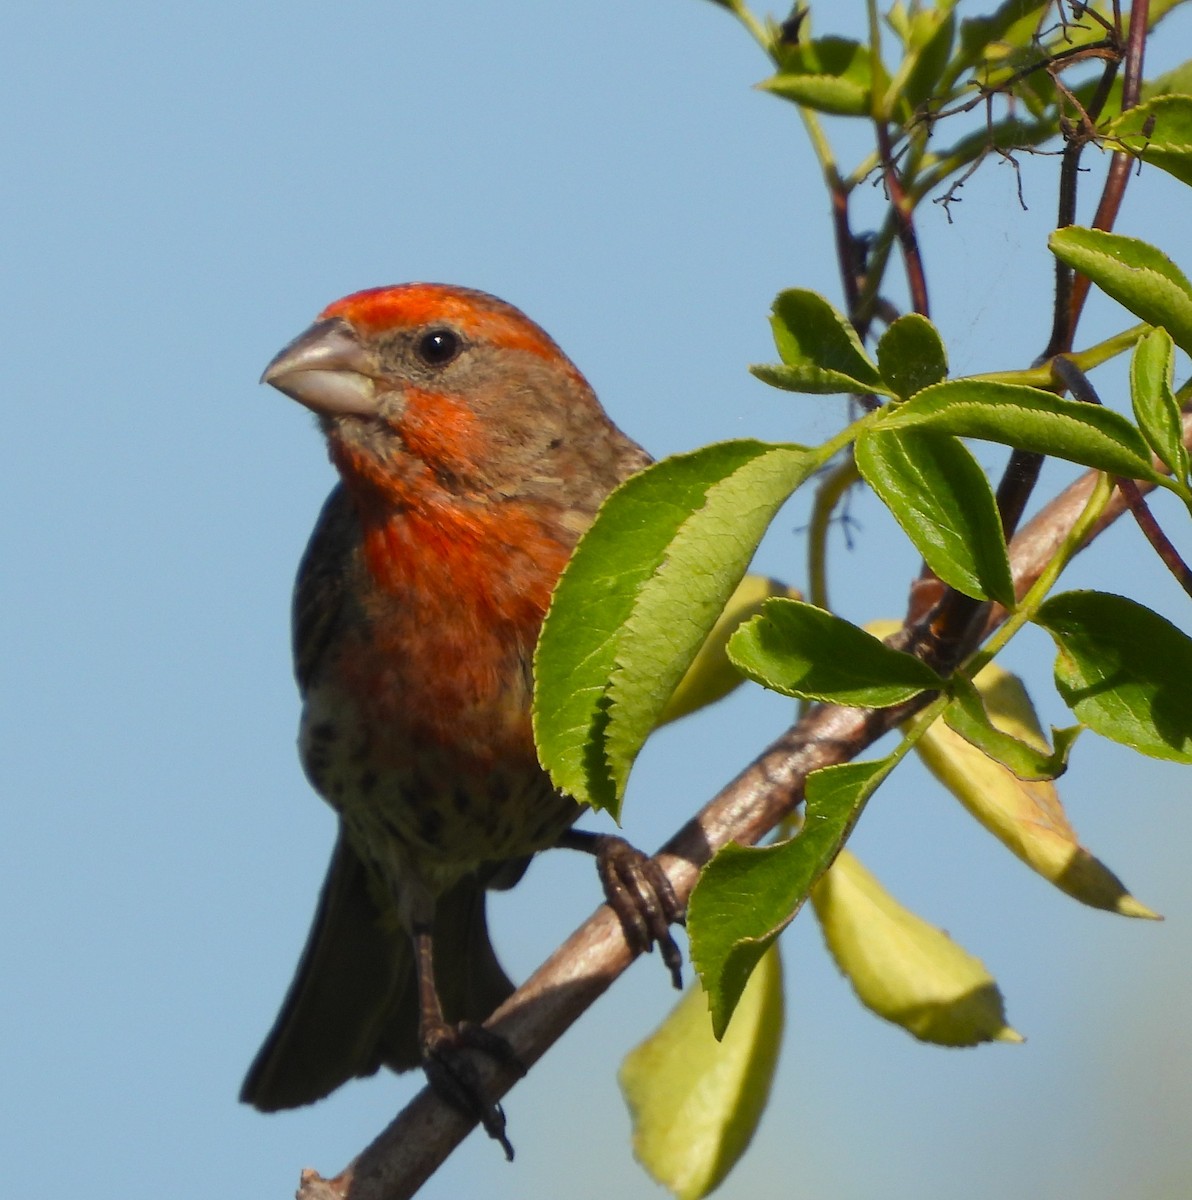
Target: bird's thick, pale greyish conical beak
327,370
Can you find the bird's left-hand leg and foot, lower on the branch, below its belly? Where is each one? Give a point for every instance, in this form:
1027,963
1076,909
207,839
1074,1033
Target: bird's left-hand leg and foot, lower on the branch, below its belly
445,1047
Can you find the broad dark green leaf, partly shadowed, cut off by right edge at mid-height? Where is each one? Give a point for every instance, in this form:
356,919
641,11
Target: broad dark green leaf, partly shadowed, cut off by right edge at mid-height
1124,671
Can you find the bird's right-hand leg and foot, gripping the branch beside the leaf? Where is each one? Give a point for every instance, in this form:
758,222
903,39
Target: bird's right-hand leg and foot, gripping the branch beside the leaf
638,891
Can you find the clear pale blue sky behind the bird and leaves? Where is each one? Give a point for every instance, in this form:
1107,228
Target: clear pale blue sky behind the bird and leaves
185,188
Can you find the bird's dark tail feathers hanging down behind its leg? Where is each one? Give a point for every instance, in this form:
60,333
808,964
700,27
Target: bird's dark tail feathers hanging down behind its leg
354,1004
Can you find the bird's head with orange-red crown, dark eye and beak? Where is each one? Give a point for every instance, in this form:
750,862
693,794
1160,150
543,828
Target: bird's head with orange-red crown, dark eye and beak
428,391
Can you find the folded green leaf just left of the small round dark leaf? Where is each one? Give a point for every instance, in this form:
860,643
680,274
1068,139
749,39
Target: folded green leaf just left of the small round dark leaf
820,350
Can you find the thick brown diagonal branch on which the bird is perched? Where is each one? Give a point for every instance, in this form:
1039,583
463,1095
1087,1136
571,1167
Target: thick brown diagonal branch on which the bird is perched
428,1130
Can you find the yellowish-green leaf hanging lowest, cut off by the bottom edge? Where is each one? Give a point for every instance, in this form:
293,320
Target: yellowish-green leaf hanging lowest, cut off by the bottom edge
696,1102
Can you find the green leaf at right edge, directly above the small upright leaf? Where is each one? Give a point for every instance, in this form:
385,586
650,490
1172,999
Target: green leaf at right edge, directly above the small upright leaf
1137,275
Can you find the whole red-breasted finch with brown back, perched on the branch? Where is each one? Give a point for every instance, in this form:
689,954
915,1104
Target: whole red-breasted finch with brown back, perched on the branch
472,455
